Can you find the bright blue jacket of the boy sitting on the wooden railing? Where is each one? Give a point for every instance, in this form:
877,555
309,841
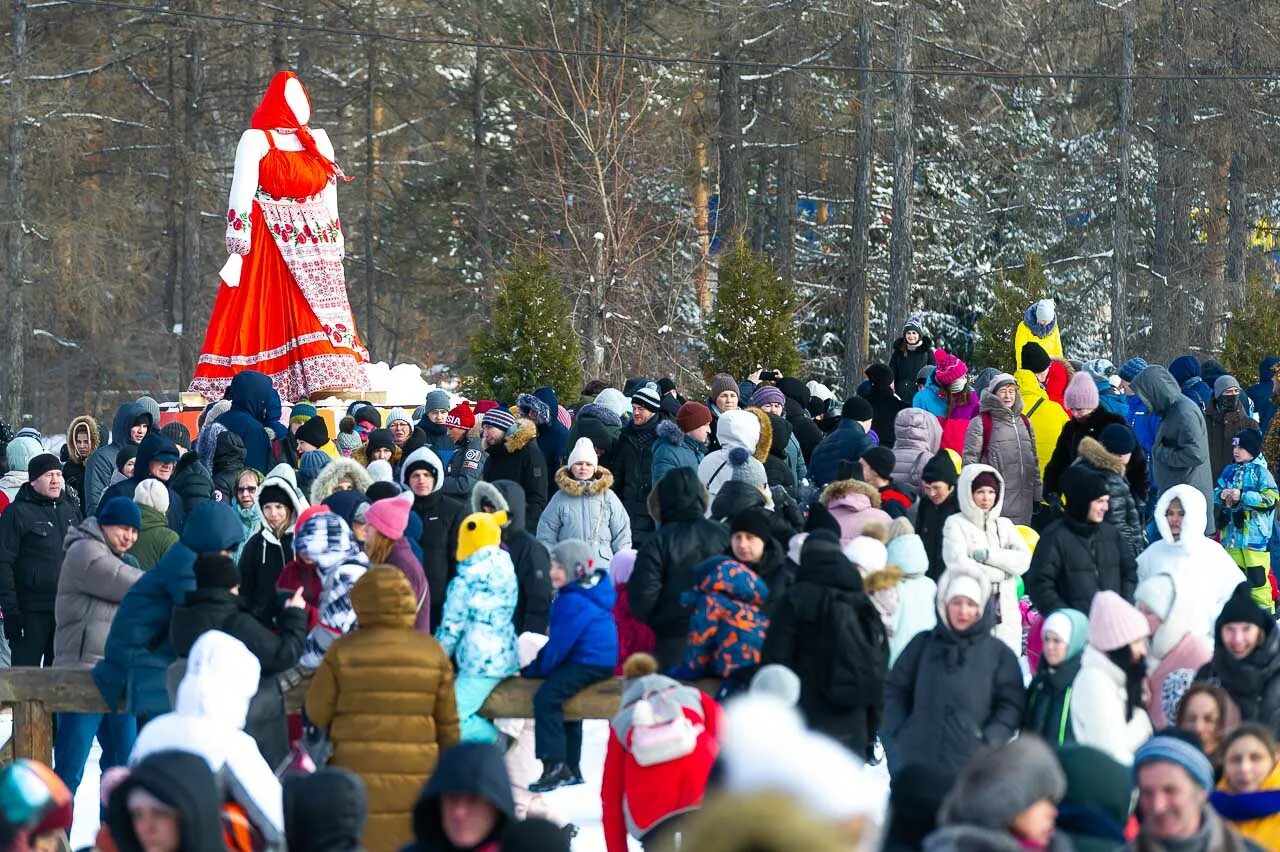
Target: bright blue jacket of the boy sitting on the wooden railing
582,629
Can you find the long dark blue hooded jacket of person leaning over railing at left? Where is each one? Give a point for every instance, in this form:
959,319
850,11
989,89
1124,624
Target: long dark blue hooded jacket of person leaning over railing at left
138,647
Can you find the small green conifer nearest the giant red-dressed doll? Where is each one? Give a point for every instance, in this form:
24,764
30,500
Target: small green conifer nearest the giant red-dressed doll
531,341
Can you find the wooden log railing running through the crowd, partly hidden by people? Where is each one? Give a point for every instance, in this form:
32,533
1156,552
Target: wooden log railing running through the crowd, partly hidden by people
36,694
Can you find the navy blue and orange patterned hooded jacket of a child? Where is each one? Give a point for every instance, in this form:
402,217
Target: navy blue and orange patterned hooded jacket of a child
729,626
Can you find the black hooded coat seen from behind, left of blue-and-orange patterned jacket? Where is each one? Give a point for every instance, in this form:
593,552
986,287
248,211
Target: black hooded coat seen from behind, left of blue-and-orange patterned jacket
666,562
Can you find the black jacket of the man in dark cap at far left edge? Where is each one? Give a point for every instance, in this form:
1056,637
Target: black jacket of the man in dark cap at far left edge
33,534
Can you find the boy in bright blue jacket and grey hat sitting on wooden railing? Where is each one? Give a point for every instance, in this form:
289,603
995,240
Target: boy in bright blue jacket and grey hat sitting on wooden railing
583,649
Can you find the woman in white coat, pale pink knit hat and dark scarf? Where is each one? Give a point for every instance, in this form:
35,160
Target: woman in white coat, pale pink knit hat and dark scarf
1108,711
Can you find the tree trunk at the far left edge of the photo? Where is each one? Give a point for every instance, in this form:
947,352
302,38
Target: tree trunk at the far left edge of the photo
16,267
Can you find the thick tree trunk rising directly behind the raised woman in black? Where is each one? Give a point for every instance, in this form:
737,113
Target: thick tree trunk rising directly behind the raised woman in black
904,172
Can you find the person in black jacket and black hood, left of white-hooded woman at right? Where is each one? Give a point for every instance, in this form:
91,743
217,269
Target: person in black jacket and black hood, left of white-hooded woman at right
1080,555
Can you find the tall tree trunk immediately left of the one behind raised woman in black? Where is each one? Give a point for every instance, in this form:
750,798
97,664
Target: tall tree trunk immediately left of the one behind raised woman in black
857,335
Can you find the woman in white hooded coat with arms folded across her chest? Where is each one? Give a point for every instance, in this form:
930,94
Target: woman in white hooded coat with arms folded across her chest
979,539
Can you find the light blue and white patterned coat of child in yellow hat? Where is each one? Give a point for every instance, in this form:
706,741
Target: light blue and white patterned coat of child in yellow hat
477,626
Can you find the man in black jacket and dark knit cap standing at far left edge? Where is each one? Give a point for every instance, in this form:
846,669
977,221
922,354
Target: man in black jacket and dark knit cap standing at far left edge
31,558
